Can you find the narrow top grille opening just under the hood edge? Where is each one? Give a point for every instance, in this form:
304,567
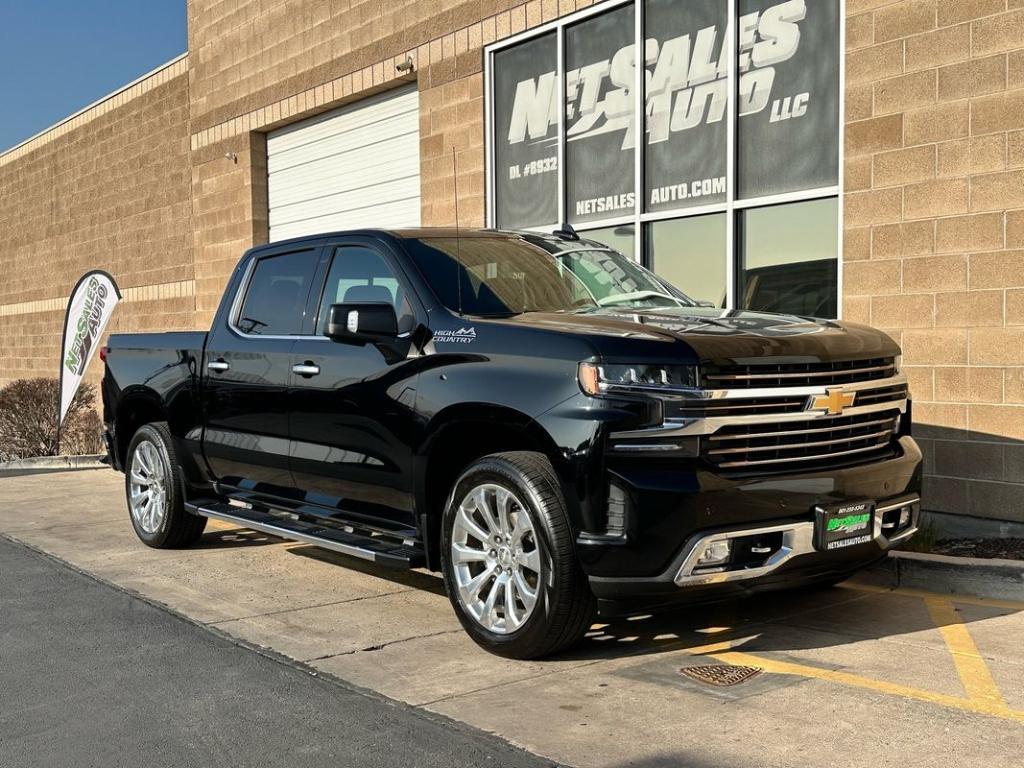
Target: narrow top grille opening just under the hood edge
798,374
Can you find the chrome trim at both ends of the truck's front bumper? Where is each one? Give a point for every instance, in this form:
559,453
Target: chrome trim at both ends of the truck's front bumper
798,540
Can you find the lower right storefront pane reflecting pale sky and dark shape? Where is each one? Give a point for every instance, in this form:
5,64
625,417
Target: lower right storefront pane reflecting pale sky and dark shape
790,259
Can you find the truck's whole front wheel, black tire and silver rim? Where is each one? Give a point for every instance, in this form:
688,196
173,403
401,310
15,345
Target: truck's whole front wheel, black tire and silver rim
508,559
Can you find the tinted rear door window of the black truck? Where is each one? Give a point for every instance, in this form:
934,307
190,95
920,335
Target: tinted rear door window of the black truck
276,301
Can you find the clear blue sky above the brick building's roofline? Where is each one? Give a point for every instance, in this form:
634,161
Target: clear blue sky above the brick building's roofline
60,56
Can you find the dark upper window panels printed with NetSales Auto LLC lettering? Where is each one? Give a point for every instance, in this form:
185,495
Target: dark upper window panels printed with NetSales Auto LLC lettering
787,75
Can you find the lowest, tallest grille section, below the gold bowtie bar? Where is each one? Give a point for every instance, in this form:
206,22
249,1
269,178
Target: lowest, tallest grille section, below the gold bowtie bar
802,446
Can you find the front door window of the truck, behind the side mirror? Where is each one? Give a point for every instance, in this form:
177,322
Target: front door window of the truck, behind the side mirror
361,275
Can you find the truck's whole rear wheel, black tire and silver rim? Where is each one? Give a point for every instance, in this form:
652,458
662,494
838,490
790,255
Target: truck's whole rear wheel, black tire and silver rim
154,488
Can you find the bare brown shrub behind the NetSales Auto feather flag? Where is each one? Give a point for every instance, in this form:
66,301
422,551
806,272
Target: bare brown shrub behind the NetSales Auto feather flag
29,418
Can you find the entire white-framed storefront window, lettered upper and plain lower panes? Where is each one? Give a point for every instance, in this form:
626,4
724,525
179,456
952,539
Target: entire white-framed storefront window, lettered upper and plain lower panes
734,146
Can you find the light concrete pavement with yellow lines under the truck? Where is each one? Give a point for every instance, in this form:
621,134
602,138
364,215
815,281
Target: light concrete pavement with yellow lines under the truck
851,676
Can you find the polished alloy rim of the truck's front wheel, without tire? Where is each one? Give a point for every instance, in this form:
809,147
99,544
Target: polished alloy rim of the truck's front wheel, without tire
495,559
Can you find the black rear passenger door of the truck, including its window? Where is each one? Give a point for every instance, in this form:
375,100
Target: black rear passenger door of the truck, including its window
247,369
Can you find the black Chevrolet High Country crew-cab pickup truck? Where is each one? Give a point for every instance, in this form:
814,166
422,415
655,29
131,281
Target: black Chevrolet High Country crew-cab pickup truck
553,428
